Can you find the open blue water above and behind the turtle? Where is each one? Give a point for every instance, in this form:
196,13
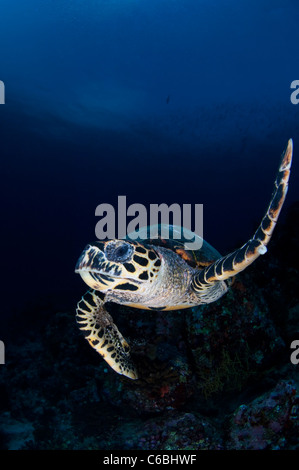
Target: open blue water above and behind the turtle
174,101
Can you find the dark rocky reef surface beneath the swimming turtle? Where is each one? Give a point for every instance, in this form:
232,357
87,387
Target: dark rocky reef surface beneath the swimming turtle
212,377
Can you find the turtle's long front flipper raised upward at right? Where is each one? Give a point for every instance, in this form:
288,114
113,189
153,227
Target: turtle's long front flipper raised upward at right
230,265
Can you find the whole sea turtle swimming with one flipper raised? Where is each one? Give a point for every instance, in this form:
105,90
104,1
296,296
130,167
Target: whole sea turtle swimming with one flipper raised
161,274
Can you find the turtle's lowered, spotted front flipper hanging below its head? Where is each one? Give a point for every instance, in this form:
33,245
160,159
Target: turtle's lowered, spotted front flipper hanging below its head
103,335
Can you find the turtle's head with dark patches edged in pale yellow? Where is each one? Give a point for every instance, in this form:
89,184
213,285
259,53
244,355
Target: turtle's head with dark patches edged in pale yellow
122,265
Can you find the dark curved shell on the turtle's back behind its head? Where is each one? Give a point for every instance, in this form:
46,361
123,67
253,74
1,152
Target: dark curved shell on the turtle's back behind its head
180,240
